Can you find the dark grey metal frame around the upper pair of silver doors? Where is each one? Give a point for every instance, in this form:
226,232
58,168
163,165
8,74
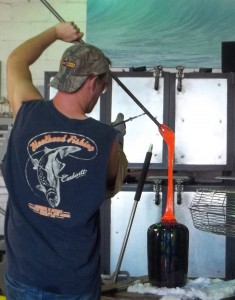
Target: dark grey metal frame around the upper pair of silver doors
169,114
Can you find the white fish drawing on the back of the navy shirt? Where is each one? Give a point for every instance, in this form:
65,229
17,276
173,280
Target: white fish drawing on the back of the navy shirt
48,168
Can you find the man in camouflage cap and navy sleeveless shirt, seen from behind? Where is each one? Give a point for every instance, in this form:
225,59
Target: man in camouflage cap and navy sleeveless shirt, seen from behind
58,167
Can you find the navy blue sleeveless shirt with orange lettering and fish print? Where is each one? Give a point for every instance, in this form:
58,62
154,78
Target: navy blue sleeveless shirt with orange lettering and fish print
55,171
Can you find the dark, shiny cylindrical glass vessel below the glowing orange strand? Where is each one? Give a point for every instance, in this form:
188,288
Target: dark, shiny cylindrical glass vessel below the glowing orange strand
167,244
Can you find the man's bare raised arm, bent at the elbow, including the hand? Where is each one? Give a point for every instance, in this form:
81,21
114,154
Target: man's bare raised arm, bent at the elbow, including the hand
20,85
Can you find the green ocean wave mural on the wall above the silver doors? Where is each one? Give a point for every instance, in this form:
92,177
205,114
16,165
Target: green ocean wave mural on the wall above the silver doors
161,32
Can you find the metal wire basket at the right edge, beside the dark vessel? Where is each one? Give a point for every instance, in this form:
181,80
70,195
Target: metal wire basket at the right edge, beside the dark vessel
214,211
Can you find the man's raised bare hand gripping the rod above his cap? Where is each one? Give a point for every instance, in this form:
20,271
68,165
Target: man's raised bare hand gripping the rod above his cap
68,32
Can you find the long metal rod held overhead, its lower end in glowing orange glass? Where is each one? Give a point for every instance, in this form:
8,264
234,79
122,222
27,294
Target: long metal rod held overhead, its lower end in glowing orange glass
52,10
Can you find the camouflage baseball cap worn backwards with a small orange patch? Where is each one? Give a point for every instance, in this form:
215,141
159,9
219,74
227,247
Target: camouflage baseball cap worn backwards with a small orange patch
78,63
